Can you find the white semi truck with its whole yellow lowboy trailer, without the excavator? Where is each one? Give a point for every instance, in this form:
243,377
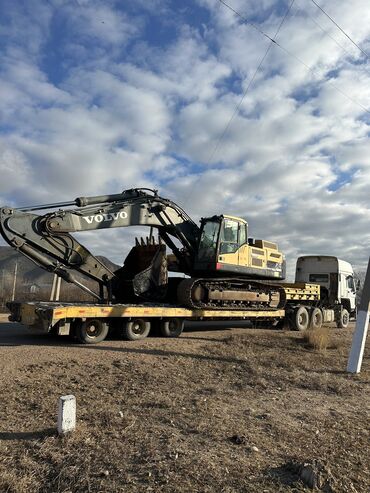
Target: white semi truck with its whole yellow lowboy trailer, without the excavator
324,291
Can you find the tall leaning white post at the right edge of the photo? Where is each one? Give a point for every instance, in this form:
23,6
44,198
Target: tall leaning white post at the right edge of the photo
362,323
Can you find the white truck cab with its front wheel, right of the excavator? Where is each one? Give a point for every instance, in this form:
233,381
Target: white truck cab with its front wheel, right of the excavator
337,279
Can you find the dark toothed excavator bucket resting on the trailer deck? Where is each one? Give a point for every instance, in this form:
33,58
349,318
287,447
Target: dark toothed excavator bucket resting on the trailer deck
144,273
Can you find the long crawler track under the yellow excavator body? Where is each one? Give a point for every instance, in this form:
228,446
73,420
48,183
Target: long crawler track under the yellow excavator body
230,294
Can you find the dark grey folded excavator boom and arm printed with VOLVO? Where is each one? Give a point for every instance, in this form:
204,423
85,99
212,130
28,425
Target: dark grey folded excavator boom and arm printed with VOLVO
47,241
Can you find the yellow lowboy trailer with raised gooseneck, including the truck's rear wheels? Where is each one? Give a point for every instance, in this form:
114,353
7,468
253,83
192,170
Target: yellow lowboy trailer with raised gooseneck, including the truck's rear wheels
91,323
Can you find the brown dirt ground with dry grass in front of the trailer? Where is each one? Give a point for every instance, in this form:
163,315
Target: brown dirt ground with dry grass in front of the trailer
217,410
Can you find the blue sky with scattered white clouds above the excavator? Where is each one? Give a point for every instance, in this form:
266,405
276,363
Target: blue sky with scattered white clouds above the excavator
97,96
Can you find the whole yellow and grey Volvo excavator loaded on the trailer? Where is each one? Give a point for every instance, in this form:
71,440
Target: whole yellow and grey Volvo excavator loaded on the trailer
225,268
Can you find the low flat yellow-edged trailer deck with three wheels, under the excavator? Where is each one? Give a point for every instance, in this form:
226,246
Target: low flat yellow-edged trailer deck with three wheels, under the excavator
91,323
